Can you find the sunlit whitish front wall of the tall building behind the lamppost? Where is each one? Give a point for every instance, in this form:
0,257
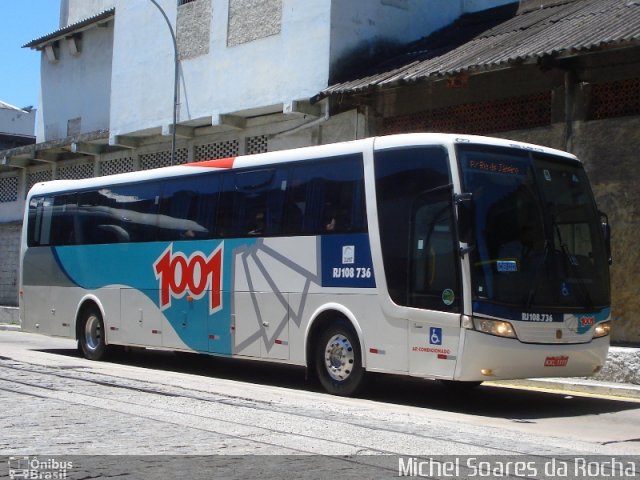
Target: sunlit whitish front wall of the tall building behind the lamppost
236,74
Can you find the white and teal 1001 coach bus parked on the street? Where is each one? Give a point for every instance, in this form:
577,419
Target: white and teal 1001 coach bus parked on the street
449,257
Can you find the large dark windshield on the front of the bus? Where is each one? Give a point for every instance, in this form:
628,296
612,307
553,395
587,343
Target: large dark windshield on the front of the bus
538,239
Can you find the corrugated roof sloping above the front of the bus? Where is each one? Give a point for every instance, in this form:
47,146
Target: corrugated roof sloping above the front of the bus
561,30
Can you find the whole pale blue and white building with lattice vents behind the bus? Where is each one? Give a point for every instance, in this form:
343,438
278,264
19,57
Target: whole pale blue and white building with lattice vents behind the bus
248,73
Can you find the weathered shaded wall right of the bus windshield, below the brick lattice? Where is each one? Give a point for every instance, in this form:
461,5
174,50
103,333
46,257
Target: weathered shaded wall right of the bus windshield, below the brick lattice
608,149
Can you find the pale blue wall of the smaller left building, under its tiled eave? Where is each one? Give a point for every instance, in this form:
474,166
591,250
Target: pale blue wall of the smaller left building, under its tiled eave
75,91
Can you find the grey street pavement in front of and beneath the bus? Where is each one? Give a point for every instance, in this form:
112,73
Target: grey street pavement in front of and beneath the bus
160,405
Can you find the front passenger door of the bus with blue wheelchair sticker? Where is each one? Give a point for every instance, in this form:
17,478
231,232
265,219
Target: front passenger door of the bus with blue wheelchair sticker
433,286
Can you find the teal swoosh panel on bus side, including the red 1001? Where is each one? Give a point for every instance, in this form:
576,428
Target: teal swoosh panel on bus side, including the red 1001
165,274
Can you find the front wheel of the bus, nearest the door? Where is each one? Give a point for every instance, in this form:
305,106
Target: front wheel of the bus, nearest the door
338,360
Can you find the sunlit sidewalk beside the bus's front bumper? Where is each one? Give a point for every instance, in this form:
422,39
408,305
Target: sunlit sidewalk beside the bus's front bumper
620,376
